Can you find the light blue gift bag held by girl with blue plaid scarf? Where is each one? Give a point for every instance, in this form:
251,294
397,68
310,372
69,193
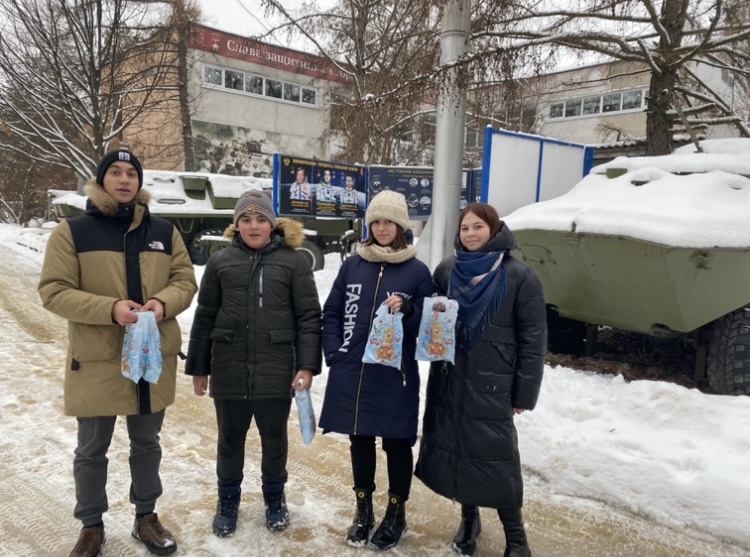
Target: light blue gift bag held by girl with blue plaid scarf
437,330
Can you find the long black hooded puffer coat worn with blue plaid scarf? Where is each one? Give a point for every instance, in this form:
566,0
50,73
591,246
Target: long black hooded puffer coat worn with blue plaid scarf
469,446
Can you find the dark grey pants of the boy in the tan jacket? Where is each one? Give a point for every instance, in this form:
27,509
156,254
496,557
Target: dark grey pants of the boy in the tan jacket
90,464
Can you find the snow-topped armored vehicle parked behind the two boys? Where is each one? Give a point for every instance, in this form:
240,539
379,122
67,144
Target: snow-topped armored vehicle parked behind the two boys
201,206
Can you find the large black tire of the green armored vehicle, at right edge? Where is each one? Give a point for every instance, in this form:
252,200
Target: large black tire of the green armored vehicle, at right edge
728,360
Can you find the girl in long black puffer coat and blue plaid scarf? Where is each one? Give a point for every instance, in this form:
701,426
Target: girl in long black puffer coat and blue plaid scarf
469,447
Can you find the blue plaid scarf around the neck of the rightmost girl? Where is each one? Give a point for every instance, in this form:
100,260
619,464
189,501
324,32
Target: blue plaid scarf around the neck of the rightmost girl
479,283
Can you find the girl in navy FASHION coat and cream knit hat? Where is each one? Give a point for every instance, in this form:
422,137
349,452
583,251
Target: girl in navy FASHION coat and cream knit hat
367,401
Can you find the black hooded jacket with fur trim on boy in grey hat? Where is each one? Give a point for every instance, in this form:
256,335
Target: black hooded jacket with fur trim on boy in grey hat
258,317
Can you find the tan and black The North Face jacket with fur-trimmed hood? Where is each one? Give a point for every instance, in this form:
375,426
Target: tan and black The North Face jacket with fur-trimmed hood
114,253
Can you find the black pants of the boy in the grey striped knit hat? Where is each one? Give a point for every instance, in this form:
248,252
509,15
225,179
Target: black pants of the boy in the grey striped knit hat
233,417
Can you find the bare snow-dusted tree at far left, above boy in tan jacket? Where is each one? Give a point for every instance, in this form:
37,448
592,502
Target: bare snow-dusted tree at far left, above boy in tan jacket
75,75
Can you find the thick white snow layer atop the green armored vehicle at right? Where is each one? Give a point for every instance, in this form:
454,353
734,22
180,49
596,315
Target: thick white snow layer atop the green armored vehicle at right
650,202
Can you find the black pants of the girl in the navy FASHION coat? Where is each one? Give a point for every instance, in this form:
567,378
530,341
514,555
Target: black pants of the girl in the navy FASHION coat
400,463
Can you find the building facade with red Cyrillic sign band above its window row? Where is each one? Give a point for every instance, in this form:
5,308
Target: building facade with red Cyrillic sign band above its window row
247,101
